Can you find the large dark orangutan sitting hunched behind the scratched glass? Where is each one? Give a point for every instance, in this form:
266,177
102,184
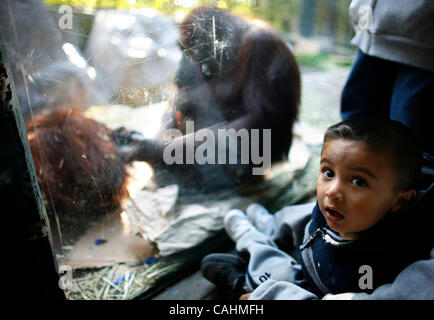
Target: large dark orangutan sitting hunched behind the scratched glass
234,73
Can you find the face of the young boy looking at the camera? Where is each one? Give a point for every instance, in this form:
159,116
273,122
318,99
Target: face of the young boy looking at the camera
355,187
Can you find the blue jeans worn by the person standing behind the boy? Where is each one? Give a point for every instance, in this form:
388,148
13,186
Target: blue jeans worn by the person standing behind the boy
401,92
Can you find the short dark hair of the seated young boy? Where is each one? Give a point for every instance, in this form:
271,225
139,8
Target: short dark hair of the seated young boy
385,136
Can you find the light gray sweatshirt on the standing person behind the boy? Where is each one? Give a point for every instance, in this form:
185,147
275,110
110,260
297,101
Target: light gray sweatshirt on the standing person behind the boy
396,30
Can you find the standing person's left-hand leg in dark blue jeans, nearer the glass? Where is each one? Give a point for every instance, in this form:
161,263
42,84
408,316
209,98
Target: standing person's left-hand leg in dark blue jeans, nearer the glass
369,87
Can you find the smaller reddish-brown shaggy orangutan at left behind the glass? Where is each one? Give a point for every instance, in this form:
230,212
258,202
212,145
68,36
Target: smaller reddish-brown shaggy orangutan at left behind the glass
78,165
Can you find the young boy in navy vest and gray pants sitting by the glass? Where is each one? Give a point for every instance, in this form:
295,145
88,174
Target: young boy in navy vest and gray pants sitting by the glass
363,230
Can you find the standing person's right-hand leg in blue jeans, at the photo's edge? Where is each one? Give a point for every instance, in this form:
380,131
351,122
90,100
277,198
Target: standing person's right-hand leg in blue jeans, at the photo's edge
413,104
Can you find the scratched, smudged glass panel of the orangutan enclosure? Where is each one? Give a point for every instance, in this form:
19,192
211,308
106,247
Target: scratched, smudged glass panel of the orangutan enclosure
148,120
